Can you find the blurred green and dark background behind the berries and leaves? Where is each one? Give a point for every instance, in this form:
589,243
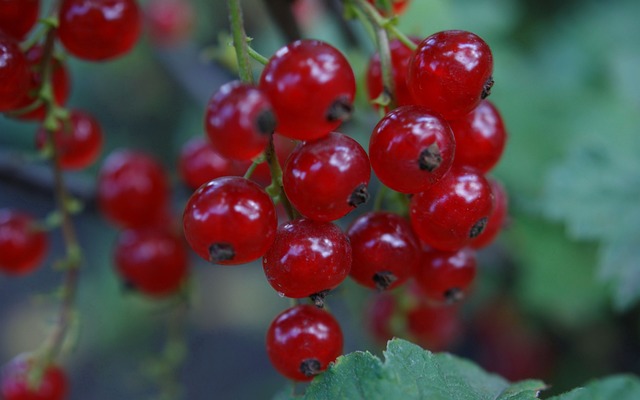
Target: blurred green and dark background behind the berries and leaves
566,270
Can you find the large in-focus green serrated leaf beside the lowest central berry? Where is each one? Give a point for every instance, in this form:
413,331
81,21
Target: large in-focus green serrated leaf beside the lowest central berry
410,372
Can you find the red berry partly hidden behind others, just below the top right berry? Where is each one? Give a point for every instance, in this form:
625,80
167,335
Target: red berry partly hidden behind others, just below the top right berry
480,137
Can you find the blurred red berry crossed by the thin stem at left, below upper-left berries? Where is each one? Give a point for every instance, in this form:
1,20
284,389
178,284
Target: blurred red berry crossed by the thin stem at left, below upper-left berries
78,142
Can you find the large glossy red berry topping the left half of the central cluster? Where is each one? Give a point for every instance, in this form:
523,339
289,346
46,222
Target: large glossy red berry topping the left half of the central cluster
311,87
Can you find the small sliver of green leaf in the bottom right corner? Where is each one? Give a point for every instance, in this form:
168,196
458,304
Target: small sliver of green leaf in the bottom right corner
618,387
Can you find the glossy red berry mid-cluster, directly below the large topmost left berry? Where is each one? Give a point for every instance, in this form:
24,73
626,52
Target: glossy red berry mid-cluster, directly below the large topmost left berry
327,178
